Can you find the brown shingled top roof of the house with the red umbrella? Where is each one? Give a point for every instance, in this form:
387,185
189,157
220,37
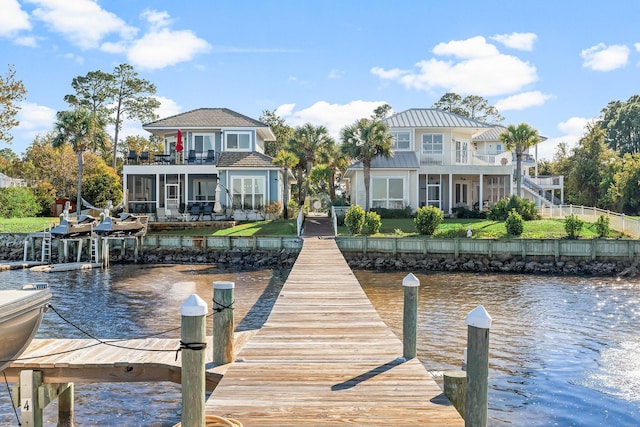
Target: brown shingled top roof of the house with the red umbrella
205,118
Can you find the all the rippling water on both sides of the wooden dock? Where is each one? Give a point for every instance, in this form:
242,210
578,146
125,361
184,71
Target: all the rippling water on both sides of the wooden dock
564,351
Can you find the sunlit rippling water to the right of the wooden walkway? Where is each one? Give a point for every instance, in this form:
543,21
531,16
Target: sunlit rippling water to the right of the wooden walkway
563,351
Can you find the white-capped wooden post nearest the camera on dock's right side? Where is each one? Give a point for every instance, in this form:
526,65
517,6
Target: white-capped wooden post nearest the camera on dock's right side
476,400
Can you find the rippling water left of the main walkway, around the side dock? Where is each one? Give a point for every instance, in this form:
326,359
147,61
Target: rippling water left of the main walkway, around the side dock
129,302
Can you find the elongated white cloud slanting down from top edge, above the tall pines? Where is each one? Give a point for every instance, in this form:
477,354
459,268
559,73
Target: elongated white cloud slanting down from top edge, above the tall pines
83,22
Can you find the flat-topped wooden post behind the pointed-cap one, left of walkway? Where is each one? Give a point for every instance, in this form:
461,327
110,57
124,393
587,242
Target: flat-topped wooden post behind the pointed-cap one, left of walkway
223,322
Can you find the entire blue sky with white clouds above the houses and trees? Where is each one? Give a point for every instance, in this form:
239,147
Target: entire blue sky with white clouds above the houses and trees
553,64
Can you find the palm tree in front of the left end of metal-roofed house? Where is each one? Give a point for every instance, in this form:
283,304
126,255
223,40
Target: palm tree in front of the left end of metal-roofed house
363,141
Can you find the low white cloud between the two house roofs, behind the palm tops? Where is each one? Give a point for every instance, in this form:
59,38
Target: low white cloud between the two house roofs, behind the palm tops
333,116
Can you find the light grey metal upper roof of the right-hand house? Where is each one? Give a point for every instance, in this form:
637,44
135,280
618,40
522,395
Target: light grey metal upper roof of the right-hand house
431,117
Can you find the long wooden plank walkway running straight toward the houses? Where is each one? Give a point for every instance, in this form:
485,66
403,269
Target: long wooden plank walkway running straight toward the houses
324,357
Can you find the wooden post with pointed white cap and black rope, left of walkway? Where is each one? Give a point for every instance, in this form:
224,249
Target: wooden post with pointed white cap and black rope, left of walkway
193,345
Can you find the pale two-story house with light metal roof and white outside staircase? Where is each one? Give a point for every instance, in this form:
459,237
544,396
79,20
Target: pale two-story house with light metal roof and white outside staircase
444,160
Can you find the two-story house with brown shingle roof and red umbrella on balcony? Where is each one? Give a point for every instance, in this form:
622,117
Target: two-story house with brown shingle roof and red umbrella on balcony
212,157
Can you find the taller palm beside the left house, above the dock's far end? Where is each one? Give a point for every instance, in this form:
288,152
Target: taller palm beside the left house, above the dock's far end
312,143
